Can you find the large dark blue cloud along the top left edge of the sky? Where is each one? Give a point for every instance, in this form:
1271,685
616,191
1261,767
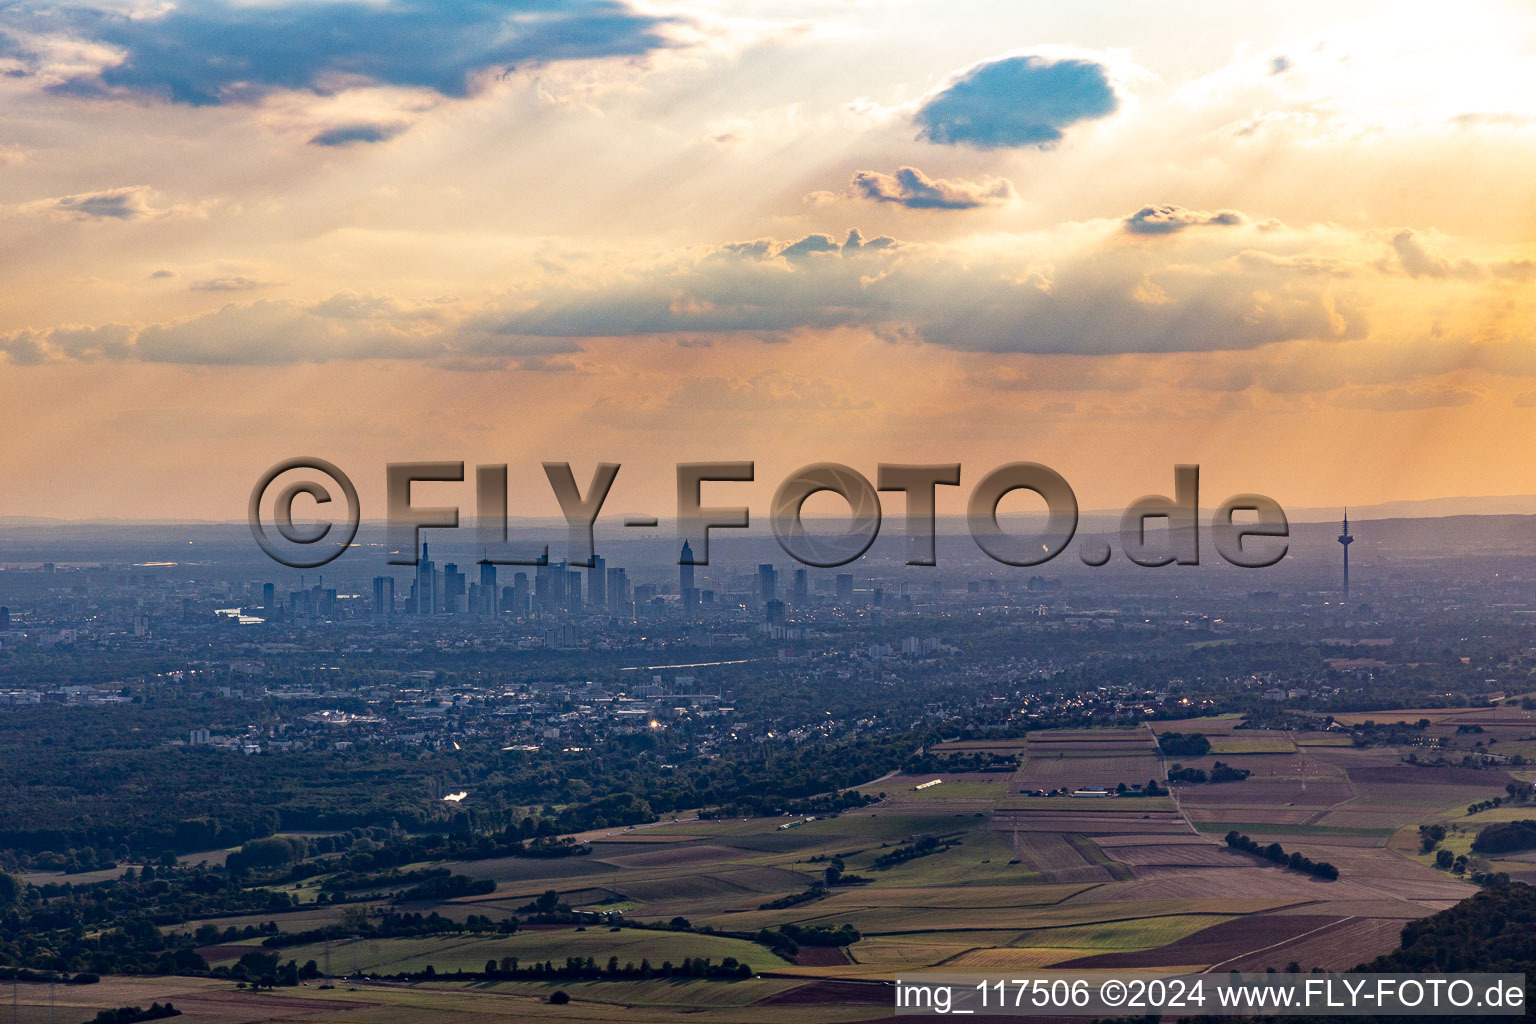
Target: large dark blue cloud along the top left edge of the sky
222,51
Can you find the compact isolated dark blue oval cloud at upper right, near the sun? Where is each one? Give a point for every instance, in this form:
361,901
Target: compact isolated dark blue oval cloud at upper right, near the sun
1018,102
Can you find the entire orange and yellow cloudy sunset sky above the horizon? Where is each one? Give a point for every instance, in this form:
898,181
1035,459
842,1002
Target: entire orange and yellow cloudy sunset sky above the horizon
1294,243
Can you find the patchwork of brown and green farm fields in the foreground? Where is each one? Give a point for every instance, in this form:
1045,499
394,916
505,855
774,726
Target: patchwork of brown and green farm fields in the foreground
1005,880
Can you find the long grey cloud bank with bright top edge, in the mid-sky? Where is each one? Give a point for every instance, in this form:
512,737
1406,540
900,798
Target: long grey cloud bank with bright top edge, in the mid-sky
1091,299
